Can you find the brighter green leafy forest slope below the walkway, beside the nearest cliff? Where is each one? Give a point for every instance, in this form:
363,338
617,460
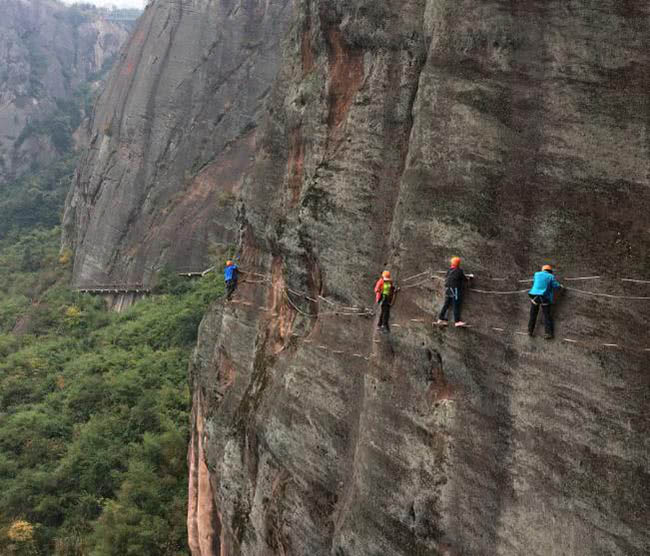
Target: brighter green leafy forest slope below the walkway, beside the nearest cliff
93,409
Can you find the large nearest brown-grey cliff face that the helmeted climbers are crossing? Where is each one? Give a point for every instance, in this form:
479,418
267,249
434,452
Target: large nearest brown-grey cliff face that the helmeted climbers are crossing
397,134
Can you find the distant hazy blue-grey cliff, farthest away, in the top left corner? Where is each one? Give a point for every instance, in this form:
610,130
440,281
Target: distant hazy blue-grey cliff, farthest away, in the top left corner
47,50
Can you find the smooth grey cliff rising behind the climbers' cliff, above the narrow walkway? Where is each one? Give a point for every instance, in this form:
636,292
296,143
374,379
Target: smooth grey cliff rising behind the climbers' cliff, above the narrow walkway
172,137
